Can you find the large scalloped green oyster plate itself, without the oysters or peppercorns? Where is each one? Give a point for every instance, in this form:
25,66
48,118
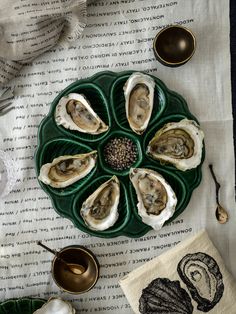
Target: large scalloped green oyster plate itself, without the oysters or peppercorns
105,92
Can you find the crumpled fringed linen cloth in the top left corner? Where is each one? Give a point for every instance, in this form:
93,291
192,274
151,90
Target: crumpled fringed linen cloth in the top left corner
29,28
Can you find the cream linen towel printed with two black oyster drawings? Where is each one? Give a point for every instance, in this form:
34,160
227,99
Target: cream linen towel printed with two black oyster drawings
190,278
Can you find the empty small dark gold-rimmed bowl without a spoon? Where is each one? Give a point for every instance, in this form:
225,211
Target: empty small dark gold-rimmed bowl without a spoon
174,45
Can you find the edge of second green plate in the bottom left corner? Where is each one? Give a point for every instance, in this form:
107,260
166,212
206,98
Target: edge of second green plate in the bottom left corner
21,306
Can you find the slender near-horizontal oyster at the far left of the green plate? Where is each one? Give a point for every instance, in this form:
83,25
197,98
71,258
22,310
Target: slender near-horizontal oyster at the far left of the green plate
65,170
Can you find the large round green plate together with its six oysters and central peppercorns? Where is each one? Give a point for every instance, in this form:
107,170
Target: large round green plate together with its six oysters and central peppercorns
119,154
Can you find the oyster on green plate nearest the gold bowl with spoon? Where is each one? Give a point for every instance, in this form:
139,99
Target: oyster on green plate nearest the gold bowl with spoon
100,209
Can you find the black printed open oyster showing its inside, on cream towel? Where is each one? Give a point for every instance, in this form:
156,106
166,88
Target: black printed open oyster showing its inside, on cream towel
202,276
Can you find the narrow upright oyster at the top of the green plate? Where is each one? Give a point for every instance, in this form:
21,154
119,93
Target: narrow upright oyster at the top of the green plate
139,97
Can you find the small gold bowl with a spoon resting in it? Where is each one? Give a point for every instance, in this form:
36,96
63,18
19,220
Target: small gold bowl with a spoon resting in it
67,280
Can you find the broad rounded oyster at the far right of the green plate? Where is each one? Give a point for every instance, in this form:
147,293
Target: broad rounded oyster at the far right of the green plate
179,143
